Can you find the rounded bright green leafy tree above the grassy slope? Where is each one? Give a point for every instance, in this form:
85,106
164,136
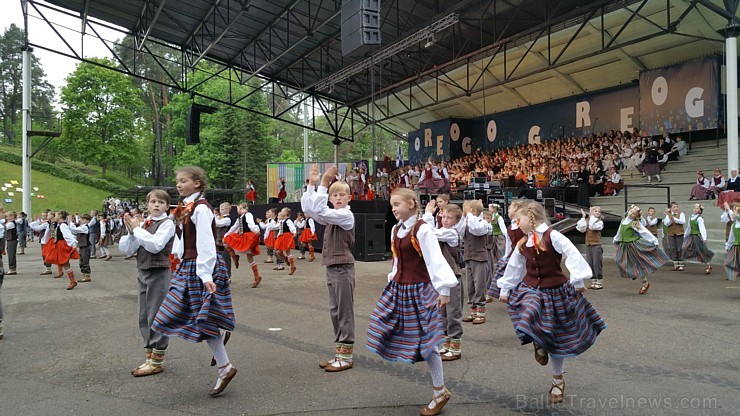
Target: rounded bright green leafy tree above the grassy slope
102,117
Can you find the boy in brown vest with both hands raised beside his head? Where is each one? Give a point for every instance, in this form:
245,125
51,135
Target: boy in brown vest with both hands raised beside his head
339,238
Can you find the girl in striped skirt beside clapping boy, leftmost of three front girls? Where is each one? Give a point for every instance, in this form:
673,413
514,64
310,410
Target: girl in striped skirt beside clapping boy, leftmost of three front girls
198,304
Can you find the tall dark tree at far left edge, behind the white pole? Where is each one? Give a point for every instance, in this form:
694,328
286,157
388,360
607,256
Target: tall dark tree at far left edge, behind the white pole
11,88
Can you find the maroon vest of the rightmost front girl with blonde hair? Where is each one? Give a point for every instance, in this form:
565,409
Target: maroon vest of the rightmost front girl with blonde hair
543,269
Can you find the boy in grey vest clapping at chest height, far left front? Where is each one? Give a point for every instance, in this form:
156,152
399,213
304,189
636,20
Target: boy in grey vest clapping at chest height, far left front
151,243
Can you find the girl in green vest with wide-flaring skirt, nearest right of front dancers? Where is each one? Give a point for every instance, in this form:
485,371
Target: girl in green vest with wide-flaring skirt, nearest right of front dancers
638,254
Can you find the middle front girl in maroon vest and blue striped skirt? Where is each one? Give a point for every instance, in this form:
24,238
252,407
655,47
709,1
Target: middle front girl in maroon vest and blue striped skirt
406,324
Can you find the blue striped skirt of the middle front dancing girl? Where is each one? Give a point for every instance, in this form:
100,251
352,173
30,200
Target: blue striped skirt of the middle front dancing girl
406,324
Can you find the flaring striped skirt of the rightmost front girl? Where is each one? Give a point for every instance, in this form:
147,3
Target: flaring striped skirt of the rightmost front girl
559,319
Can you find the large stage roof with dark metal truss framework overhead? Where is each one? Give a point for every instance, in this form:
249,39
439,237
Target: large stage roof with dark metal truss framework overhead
532,51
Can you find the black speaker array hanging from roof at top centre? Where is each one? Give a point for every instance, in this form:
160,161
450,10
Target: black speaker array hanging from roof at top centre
360,26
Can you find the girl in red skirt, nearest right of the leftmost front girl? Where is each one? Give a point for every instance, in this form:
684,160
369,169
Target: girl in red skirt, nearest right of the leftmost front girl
244,238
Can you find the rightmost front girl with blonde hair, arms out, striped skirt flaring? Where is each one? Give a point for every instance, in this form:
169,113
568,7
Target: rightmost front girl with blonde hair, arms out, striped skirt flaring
546,307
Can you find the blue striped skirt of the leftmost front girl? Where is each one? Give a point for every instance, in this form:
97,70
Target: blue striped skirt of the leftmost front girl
189,311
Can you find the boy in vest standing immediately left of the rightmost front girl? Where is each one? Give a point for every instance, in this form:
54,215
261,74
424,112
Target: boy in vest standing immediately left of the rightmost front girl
477,231
